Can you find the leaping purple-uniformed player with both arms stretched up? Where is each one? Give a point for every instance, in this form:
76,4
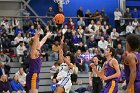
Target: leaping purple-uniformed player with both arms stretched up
35,62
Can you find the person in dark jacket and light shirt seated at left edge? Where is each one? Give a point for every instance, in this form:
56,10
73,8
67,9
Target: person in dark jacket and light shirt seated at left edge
4,69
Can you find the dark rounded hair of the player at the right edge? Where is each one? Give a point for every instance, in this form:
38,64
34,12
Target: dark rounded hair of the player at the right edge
133,41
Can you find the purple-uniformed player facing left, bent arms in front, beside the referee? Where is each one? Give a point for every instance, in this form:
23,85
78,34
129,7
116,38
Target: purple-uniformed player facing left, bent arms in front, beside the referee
109,73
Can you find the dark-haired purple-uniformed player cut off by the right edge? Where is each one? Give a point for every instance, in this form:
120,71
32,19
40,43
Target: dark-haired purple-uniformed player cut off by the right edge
132,64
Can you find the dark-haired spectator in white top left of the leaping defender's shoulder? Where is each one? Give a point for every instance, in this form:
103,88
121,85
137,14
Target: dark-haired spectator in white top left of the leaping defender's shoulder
20,51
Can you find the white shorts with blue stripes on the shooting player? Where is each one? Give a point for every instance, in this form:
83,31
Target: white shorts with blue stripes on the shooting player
66,84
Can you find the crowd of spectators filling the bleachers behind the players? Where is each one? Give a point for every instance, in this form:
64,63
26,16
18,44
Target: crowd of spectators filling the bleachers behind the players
84,38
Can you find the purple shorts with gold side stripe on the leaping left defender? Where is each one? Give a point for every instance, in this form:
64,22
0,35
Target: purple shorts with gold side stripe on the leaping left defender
32,81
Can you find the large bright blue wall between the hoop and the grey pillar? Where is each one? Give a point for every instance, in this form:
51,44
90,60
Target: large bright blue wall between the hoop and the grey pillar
108,5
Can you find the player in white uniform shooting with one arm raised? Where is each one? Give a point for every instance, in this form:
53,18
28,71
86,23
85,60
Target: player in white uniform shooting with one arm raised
65,71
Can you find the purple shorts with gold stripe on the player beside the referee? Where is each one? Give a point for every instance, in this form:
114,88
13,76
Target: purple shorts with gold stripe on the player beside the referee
110,87
